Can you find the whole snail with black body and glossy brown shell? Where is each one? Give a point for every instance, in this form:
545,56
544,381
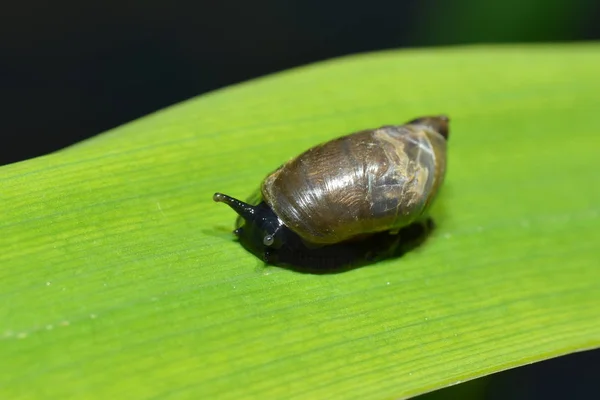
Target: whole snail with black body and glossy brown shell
347,198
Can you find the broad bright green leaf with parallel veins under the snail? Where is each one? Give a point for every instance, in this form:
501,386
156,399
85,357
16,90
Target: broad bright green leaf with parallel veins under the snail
120,277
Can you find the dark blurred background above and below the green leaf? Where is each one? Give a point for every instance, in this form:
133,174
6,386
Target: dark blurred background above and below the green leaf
71,70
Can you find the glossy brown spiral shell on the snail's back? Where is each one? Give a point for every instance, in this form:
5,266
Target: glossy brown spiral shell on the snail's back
370,181
